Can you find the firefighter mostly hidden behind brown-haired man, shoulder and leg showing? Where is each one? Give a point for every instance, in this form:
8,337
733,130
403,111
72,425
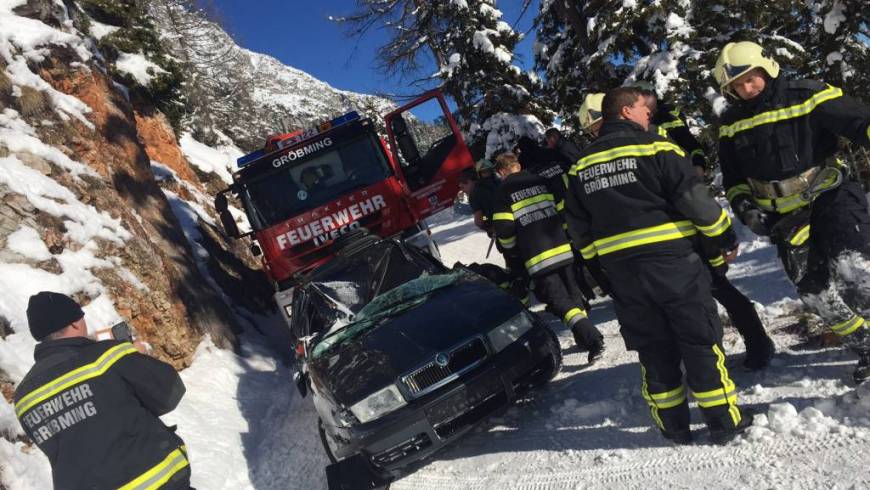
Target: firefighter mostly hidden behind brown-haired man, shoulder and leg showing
669,123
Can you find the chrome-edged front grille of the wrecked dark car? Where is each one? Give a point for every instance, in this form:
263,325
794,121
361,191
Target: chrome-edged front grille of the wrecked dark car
432,376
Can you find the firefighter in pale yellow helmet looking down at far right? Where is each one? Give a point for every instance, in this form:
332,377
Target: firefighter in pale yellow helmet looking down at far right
778,147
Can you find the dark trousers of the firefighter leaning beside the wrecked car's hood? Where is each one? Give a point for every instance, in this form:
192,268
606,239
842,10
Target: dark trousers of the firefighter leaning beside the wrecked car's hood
559,291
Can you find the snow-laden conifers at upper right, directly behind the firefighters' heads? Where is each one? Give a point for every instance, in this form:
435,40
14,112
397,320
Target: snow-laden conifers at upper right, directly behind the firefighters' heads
594,46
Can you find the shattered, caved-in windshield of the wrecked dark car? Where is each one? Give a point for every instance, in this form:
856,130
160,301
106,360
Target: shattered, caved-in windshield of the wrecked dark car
377,284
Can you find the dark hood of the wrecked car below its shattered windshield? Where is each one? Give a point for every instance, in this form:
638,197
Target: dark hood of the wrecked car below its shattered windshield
361,366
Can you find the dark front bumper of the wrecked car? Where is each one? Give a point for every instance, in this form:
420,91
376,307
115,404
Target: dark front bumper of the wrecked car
428,424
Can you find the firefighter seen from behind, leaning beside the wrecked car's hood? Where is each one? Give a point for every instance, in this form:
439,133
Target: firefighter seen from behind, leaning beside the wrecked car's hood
528,225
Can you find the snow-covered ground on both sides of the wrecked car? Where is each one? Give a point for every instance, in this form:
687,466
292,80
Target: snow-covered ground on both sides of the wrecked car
246,427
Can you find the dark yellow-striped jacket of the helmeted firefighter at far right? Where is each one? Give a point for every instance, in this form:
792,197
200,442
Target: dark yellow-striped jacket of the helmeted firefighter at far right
790,128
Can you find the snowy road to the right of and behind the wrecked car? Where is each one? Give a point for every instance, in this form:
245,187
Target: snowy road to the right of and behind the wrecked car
591,428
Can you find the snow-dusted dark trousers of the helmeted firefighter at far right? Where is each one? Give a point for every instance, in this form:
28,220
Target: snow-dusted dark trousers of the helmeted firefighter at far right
836,285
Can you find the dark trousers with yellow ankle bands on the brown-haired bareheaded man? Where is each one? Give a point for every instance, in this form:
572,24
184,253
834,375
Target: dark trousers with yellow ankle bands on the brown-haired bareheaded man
666,312
